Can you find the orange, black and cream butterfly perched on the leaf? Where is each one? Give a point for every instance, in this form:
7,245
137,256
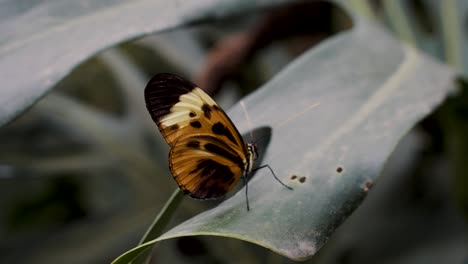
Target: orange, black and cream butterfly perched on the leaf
208,155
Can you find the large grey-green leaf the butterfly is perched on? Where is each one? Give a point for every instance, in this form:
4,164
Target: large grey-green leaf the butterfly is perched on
336,114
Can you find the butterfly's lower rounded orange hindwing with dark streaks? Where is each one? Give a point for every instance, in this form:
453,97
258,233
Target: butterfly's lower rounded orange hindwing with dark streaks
204,166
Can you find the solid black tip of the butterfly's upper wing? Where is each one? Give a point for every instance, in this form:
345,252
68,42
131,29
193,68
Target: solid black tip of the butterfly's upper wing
163,91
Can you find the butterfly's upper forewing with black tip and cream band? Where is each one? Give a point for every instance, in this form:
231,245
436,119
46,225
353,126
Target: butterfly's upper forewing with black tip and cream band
181,108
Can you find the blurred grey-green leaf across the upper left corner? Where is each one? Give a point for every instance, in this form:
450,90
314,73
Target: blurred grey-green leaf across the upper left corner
43,41
